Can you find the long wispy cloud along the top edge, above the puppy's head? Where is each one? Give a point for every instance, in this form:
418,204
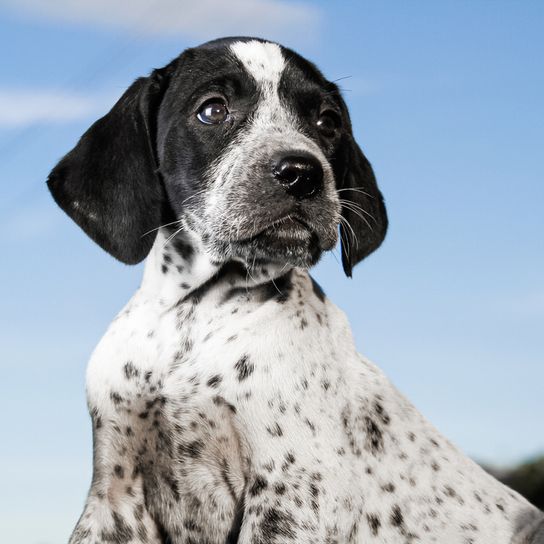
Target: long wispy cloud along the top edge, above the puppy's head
198,19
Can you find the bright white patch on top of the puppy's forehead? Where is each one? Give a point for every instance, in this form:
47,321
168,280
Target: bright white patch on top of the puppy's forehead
264,61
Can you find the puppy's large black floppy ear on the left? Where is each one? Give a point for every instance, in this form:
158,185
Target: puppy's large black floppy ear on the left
108,184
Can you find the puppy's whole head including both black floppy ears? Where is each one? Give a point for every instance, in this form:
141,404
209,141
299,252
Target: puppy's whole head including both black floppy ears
241,141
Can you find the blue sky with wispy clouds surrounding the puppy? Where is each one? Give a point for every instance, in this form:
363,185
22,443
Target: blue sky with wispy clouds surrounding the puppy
447,102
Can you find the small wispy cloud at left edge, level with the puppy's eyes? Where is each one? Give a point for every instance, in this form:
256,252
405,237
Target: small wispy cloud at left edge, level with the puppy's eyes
20,108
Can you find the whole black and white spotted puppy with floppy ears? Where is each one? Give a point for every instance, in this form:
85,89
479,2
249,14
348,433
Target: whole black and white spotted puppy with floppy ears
227,398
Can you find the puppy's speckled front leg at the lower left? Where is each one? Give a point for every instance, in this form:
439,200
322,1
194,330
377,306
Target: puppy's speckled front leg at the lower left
115,510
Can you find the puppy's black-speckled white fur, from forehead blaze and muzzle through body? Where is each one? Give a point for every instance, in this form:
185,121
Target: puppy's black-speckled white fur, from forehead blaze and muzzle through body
230,405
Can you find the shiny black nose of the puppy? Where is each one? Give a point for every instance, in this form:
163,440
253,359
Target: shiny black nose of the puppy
301,176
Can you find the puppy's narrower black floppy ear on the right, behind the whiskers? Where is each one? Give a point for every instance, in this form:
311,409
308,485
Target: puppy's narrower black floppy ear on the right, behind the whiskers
364,218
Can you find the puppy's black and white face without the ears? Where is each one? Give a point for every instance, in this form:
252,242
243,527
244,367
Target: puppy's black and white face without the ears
245,148
